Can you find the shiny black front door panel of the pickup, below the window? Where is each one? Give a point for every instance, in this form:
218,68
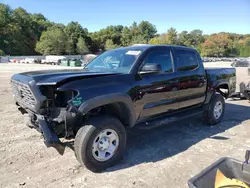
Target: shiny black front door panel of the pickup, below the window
159,94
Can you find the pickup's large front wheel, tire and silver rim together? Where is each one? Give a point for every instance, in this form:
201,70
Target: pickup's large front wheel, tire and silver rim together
101,143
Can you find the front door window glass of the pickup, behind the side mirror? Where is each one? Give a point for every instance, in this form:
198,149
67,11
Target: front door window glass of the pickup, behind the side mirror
161,57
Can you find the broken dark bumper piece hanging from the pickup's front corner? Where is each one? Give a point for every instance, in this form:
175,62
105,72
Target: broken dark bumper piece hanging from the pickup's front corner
50,137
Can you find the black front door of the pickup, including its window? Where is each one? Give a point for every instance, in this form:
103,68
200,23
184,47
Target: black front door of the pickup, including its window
158,91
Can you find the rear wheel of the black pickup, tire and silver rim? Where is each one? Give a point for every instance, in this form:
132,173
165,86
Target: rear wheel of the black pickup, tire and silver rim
215,110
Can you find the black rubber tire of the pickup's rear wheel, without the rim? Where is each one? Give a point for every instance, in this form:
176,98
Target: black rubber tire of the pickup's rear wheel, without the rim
209,116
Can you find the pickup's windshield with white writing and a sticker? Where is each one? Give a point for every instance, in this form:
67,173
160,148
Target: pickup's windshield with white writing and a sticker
120,60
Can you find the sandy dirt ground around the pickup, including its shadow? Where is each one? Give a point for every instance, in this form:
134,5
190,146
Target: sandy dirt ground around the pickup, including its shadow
163,157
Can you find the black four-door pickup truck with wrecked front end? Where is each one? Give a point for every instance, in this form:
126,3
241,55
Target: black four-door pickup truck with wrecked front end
142,86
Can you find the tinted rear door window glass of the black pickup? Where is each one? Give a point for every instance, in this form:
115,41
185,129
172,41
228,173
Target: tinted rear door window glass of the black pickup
186,60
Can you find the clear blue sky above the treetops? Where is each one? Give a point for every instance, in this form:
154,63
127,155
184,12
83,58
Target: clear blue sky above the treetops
211,16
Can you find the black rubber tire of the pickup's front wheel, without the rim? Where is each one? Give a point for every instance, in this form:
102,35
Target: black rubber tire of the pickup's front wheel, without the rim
85,137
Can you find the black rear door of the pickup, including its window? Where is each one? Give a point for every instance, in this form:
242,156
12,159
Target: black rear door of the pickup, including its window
192,83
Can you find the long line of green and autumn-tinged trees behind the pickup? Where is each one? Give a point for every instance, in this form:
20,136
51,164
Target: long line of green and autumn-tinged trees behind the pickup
22,33
